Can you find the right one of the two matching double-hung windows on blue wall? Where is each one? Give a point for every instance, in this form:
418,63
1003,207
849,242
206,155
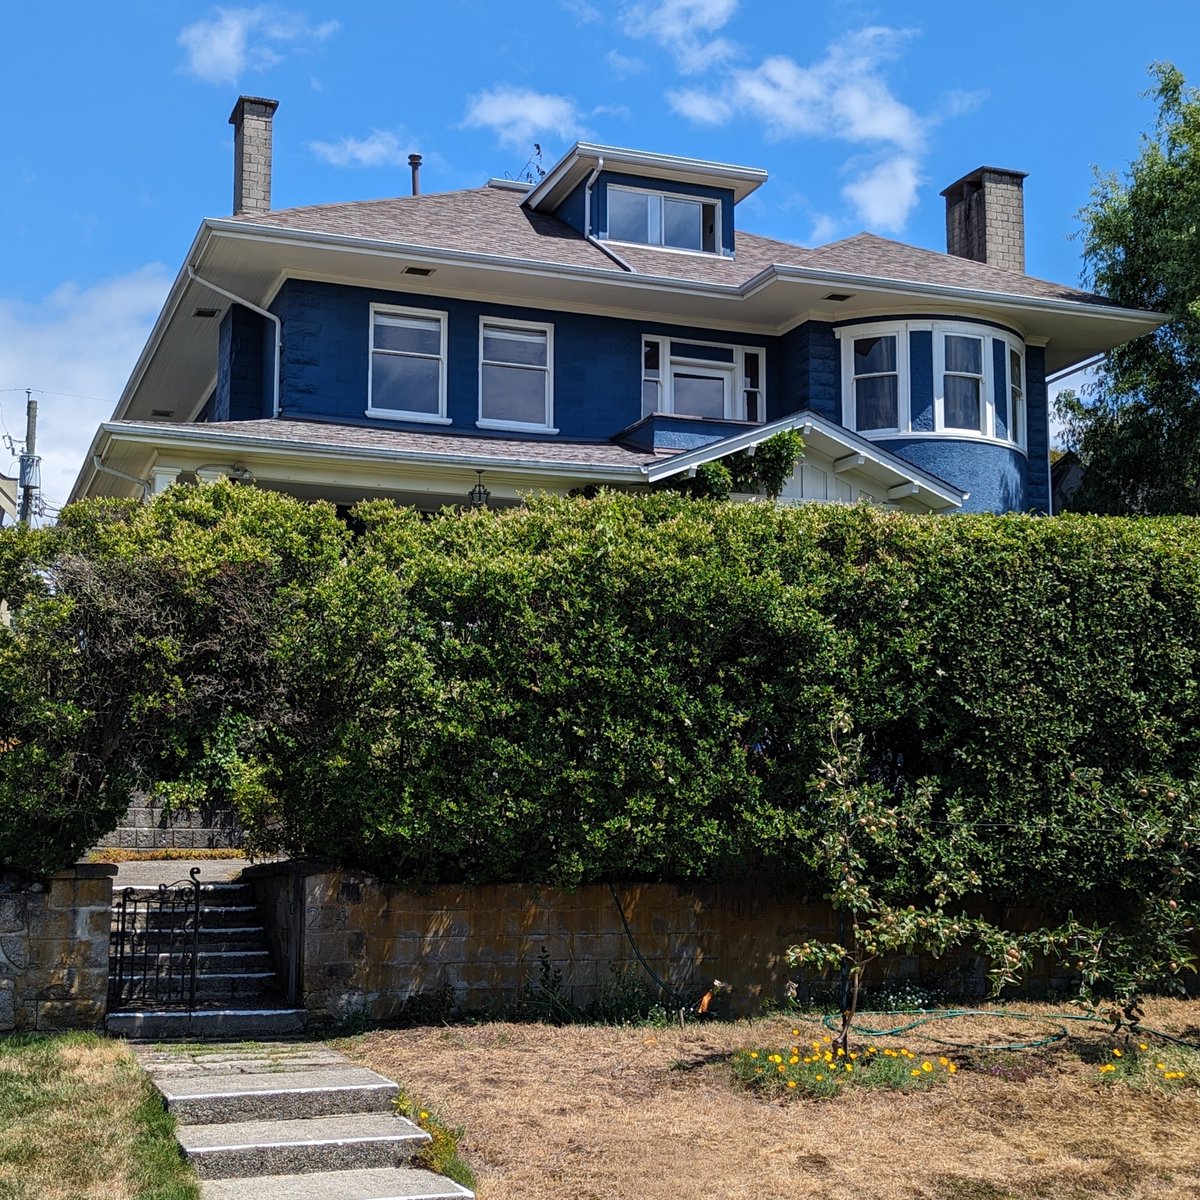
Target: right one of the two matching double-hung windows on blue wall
515,375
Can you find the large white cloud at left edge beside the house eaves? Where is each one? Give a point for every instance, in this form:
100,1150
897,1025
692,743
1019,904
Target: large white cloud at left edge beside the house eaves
79,343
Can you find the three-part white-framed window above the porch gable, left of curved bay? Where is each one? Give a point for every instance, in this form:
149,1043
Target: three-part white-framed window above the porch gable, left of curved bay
701,380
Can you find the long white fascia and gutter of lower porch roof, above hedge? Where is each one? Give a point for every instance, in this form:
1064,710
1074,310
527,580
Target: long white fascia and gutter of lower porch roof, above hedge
164,437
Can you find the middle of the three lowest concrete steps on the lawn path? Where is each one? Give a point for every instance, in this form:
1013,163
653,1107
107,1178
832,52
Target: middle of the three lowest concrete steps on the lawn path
298,1148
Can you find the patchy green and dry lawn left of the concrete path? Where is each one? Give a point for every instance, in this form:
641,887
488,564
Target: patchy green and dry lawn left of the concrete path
81,1121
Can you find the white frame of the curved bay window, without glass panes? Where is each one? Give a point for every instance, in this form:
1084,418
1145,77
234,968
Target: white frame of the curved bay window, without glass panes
939,331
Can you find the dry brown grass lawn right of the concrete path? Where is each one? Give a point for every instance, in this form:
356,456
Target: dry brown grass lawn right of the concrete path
638,1114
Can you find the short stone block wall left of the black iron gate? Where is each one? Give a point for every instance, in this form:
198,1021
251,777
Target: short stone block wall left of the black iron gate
55,950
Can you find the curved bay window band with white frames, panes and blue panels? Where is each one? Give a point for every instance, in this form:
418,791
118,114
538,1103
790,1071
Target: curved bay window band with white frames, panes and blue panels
968,397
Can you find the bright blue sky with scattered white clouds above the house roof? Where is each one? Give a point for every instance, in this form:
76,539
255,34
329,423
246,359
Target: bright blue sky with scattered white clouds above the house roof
116,143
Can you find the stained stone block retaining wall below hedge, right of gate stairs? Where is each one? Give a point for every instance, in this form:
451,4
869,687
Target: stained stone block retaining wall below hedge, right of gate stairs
368,950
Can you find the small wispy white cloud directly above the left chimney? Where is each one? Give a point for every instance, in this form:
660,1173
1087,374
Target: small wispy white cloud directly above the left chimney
223,49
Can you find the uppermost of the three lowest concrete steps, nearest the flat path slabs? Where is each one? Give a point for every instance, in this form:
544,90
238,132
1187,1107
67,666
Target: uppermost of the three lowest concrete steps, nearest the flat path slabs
217,1099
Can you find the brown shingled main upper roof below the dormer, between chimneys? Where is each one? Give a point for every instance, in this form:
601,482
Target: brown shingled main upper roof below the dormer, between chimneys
493,221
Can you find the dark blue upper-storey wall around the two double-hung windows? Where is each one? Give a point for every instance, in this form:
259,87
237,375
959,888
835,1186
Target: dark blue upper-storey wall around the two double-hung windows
598,361
